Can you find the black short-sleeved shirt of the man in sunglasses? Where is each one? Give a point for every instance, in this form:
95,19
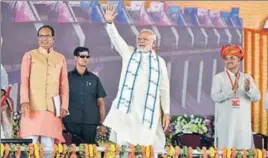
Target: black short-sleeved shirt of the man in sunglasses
84,91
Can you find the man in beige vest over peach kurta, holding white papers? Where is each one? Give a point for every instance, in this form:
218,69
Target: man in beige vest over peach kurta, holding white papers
43,76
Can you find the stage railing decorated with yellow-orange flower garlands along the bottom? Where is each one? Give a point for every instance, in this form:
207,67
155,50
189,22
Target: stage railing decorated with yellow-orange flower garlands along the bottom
116,150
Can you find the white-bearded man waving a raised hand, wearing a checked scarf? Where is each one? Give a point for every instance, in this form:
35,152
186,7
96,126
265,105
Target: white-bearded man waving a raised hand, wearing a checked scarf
135,115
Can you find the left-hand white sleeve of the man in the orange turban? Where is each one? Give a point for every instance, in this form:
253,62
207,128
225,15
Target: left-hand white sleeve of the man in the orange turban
217,92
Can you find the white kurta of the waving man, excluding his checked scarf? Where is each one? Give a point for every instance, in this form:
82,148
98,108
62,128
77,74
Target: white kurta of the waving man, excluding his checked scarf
128,127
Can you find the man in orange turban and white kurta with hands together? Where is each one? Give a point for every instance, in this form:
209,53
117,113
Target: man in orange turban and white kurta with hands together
233,91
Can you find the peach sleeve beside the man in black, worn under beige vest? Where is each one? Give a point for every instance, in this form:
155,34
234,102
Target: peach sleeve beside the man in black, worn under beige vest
64,86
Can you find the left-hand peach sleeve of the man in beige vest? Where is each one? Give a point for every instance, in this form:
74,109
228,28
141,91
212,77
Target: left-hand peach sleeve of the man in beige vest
25,78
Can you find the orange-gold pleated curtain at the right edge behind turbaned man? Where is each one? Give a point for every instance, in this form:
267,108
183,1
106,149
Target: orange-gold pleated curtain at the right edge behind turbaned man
256,64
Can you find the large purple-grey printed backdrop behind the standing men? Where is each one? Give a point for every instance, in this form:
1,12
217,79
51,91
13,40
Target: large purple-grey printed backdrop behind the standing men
189,40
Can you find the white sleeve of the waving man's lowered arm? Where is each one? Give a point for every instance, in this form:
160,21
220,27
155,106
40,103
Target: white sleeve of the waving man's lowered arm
164,88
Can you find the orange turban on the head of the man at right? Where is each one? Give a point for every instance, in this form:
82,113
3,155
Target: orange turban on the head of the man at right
232,50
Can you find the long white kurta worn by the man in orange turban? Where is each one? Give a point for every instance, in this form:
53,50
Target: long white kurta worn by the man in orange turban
233,125
